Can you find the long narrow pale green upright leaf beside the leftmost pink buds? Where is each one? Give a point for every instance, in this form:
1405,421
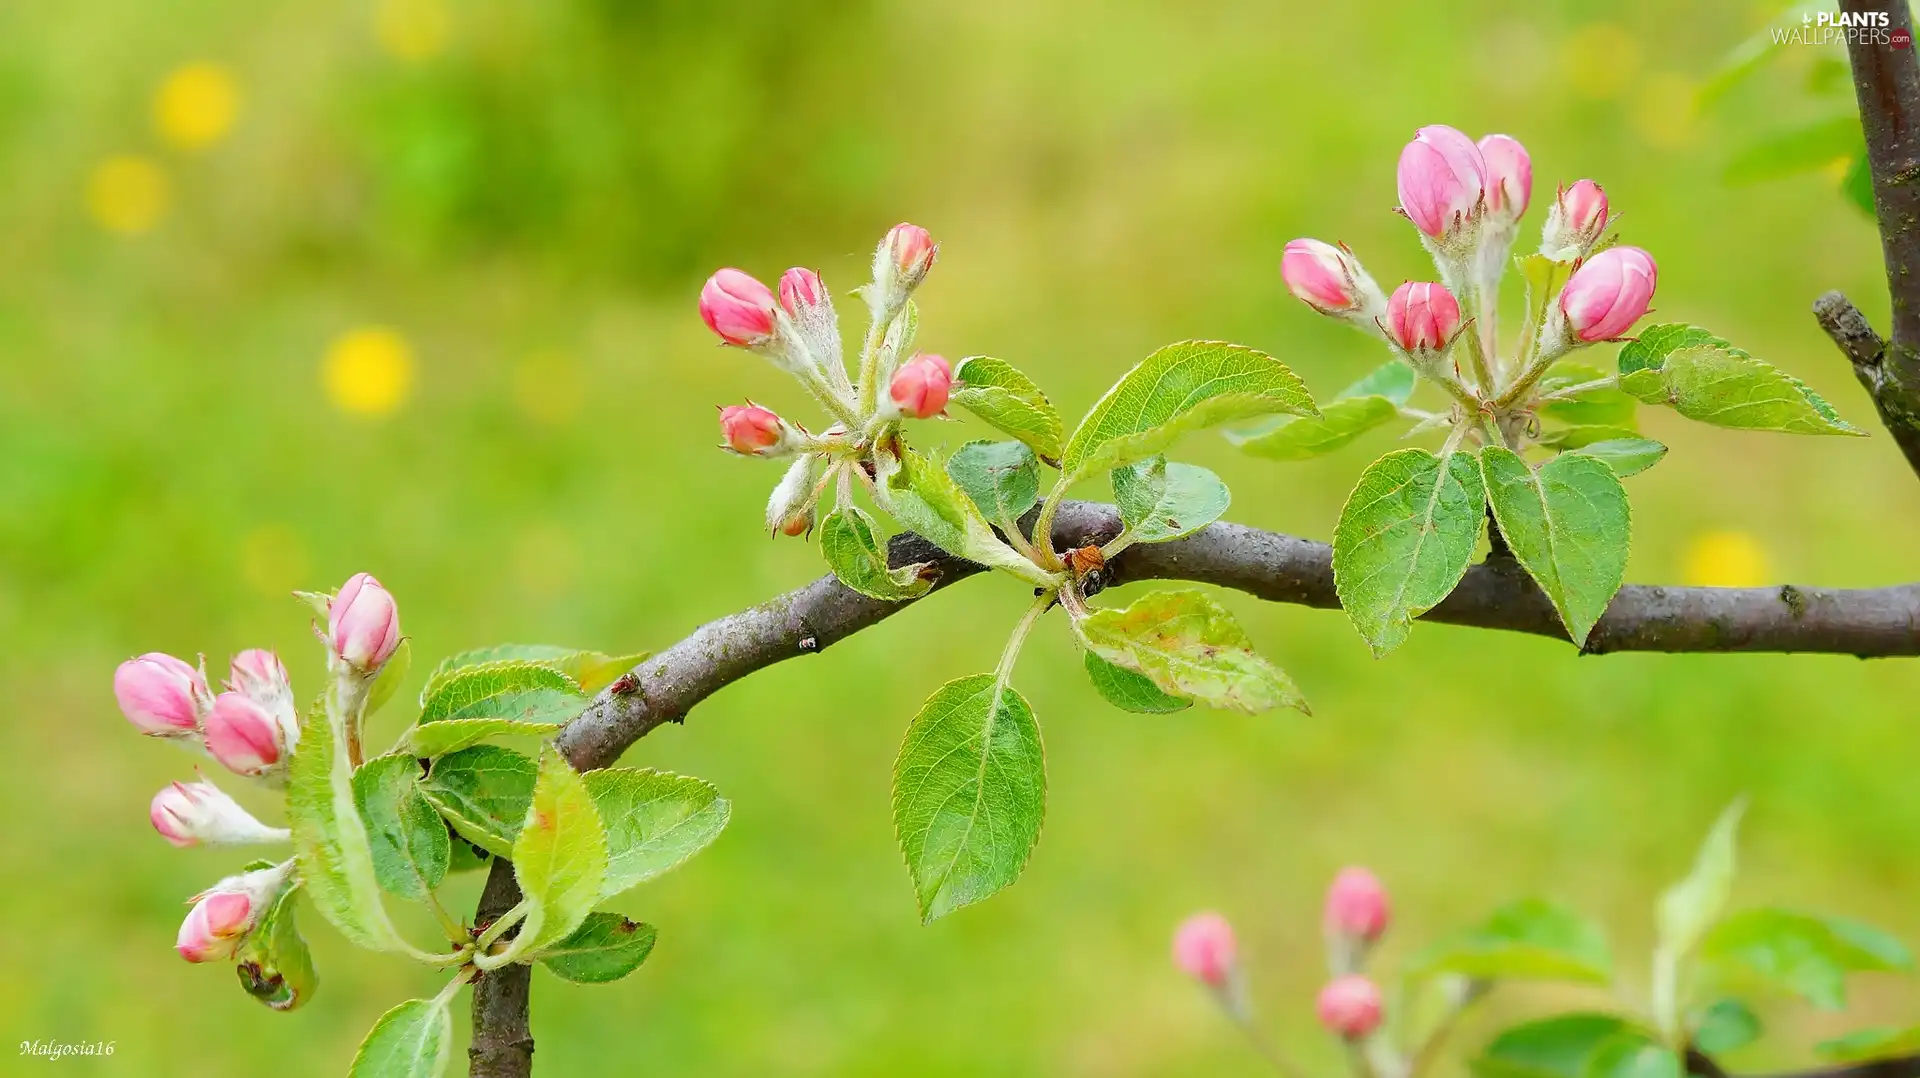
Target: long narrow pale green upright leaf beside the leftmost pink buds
331,841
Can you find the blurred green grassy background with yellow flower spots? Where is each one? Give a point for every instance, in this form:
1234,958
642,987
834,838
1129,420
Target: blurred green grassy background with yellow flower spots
291,291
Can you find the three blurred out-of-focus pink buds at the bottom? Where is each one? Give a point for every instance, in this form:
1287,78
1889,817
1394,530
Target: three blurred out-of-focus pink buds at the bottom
1351,1006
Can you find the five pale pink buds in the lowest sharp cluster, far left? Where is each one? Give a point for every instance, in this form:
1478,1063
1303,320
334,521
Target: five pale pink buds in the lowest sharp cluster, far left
252,729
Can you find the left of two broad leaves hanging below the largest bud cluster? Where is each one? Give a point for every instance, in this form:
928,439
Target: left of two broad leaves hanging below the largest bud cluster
1404,541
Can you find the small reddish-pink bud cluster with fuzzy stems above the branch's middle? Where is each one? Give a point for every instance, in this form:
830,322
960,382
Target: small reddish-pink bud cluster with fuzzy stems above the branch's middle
798,330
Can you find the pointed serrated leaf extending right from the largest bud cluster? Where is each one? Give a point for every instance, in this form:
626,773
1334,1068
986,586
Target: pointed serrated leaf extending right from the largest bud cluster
1727,389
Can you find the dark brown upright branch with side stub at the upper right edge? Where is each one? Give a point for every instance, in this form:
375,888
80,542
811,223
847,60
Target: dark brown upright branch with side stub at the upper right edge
1886,84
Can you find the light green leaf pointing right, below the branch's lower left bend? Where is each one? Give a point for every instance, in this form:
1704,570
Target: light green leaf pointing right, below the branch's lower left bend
654,821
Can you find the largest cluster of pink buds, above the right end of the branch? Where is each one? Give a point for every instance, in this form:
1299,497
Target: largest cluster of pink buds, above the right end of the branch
1466,201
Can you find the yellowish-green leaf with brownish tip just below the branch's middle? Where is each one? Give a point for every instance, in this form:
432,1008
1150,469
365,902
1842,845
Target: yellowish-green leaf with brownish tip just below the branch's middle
1193,649
